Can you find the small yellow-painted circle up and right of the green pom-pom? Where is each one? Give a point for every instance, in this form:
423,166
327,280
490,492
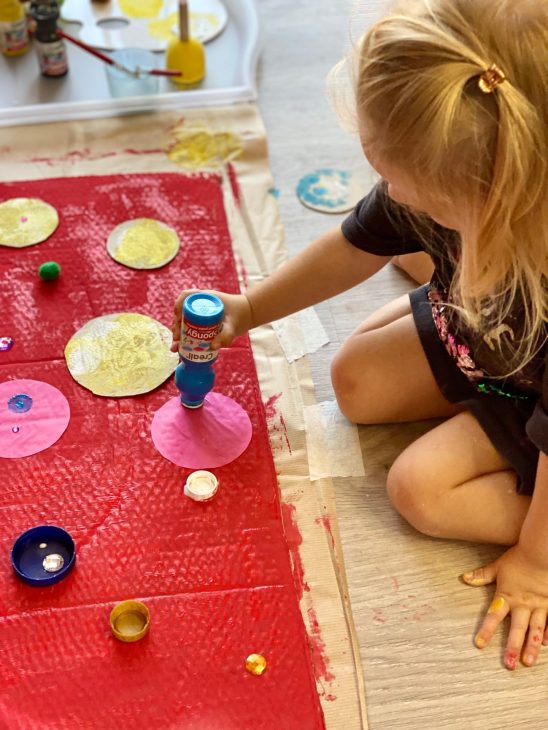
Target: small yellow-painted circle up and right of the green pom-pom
143,243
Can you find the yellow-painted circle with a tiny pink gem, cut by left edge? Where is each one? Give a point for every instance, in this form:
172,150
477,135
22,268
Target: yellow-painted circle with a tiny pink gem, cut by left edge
26,221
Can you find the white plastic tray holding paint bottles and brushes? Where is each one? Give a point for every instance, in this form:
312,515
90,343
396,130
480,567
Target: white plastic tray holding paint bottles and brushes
231,60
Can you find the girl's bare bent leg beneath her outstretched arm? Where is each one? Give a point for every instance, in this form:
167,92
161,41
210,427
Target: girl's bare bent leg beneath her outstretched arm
381,374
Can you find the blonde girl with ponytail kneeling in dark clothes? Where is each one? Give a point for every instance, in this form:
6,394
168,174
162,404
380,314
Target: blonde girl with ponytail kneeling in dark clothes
452,112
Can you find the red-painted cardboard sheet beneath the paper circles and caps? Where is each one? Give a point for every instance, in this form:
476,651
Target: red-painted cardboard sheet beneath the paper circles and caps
217,577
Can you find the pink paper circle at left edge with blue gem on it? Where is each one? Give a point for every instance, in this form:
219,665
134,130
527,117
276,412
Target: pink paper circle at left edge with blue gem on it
40,427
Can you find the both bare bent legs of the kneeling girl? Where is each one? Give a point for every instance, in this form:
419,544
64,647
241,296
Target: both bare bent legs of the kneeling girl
451,482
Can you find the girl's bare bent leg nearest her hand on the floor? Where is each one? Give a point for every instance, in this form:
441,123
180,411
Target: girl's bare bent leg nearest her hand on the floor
453,483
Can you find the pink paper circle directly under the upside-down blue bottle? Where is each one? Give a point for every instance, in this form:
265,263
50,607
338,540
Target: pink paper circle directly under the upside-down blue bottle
201,438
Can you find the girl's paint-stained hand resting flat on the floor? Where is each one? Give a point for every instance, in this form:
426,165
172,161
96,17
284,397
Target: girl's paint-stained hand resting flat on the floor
522,591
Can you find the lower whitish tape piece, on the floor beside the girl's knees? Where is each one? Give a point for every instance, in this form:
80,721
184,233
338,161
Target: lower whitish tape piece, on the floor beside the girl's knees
332,443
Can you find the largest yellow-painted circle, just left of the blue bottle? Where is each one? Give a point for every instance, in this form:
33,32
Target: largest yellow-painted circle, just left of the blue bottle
121,354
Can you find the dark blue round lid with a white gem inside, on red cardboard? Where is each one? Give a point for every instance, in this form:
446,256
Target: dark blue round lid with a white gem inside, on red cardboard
43,555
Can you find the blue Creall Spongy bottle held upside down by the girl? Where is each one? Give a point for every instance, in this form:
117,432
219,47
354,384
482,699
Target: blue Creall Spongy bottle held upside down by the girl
201,322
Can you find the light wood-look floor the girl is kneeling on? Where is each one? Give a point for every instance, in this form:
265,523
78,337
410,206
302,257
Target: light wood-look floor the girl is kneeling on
415,620
